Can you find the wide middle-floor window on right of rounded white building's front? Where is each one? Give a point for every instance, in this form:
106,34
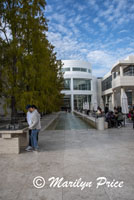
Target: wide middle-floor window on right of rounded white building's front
82,84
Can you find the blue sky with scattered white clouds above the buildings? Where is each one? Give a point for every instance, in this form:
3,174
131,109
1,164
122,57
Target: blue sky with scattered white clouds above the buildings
98,31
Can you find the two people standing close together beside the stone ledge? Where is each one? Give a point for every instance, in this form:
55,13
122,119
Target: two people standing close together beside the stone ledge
33,120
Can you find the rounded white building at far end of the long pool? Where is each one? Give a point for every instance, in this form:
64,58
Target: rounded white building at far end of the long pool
78,85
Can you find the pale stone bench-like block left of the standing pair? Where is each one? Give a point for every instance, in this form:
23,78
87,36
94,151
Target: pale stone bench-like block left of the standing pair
11,141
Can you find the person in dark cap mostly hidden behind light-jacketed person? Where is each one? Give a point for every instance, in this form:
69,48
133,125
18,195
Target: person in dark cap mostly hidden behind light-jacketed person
29,117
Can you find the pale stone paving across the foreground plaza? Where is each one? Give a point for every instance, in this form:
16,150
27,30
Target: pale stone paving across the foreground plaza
72,154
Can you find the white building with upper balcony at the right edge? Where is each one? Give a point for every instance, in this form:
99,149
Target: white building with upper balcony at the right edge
119,80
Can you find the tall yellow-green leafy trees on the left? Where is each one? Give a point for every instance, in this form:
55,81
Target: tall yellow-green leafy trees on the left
29,70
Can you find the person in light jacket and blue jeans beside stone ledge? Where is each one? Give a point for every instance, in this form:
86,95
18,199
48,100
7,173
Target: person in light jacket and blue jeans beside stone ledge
35,127
